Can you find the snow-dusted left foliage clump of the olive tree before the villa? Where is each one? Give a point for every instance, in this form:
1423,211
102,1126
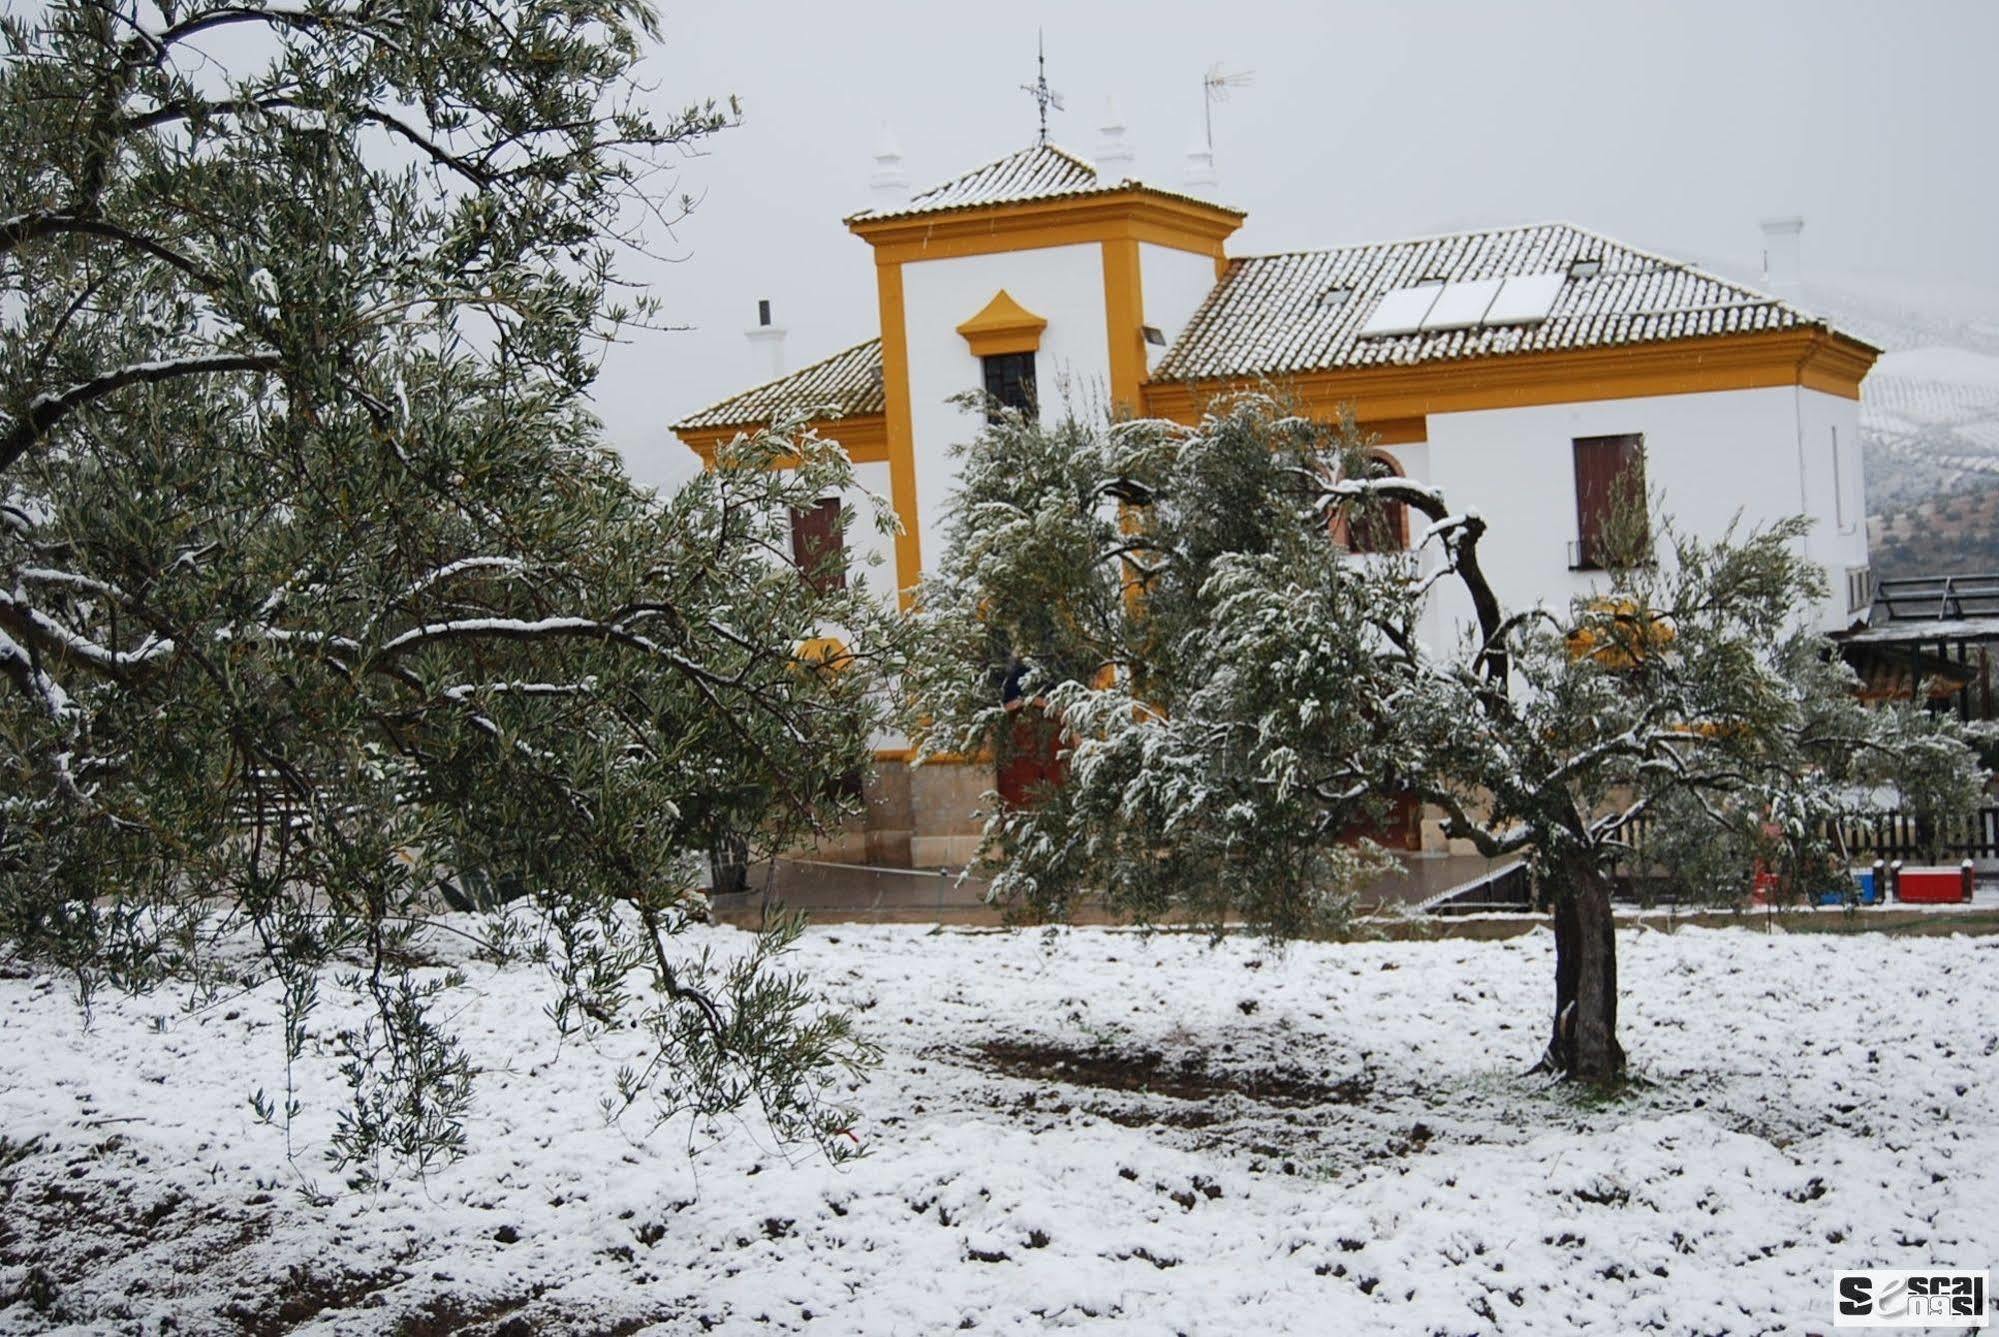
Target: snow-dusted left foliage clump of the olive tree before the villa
1172,601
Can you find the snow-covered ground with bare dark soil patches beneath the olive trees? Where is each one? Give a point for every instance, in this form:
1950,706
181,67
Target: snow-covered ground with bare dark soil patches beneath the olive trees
1070,1128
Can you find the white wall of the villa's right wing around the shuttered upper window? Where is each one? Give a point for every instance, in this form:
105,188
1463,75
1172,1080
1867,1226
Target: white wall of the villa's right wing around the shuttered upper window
1708,457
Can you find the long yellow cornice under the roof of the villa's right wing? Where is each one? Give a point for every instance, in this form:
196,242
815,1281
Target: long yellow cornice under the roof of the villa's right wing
1812,359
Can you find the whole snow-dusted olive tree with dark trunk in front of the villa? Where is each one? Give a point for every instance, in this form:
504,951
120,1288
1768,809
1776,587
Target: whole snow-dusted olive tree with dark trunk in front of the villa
1236,692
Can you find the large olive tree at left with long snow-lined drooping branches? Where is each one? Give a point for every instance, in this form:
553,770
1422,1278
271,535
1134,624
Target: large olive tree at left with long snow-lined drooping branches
323,597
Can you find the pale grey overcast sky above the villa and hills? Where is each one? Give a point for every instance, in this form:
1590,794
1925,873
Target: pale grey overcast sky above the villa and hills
1666,125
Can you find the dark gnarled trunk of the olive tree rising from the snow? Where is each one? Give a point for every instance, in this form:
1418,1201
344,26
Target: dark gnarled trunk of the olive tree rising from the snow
1584,1042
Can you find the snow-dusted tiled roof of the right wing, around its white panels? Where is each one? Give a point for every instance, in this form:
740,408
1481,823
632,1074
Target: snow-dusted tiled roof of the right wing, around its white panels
1304,311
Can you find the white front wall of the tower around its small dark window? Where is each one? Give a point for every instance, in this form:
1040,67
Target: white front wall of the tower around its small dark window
1064,285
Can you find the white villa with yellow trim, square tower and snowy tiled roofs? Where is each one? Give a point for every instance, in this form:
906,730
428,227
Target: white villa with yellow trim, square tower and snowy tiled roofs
1522,371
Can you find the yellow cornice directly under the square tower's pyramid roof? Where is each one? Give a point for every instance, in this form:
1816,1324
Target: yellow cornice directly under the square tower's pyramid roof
1126,215
